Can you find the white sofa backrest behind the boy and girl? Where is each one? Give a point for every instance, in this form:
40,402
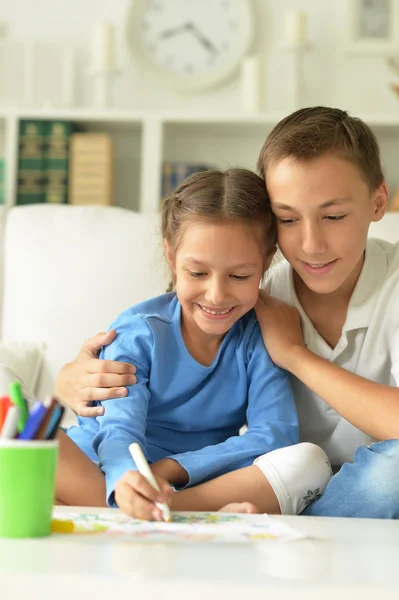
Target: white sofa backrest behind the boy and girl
66,272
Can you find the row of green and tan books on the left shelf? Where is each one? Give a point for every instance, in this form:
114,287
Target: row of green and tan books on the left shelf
57,165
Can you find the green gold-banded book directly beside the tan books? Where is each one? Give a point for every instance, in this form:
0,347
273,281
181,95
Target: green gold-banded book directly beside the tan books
56,161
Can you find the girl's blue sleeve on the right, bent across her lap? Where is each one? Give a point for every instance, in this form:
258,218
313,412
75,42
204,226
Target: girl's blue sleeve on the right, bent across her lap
271,417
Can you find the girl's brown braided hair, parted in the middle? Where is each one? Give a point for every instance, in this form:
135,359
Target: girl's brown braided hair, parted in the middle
234,195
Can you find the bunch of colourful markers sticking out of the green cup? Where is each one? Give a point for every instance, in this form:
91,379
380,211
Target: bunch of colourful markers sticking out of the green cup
16,422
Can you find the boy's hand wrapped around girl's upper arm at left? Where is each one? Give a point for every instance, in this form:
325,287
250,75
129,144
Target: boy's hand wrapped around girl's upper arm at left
88,379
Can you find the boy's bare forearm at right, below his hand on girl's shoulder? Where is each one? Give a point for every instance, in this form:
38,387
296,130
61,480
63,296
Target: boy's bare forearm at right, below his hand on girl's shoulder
370,406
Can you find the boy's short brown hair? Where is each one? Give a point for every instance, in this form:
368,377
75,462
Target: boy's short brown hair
311,132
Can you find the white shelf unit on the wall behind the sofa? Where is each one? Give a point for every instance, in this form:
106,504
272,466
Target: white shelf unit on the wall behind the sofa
144,139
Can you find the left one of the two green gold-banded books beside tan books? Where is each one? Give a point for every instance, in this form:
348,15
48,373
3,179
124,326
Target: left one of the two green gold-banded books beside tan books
30,178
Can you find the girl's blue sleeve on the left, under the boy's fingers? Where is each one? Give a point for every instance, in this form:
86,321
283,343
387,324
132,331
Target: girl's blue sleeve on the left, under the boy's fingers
124,420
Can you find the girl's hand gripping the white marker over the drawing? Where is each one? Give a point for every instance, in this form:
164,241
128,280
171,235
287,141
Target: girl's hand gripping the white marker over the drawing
137,498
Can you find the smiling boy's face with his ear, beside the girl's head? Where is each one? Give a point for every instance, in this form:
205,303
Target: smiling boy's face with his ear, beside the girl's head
324,209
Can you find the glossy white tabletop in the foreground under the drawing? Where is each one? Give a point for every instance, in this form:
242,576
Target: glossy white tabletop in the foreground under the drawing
342,558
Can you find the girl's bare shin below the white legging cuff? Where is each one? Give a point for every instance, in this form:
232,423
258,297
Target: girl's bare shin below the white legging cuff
243,485
